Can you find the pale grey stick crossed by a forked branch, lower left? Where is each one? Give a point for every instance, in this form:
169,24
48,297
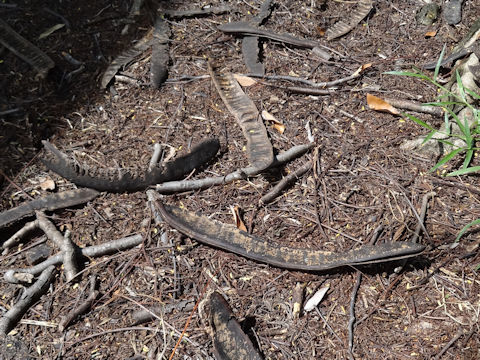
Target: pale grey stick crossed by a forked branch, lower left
91,251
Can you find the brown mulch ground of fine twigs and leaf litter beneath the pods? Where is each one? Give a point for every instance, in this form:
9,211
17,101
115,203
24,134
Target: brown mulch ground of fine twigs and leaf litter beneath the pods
431,309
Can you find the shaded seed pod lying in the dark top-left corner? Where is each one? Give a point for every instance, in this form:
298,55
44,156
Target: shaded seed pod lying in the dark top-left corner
25,50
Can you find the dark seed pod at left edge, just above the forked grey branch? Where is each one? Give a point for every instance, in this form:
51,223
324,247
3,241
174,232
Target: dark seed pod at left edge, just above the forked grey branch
49,202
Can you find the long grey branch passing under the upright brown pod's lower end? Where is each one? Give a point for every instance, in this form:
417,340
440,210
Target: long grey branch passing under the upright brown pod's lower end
188,185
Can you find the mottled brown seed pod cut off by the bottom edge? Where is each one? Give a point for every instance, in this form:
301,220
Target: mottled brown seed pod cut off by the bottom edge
229,340
